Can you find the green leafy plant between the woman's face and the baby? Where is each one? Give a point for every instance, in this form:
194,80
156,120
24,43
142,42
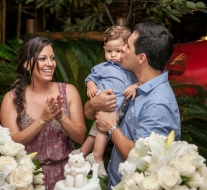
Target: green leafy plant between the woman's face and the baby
74,62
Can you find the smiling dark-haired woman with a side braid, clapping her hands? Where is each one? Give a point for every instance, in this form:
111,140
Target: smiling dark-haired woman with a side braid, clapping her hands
45,116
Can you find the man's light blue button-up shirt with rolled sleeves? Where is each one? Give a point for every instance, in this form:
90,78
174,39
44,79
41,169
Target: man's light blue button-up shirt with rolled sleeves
154,109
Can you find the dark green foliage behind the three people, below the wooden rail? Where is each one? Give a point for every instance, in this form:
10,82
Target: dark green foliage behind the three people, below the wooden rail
74,61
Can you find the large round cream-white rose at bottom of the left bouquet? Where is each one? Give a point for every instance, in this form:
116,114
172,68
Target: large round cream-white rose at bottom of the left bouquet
20,177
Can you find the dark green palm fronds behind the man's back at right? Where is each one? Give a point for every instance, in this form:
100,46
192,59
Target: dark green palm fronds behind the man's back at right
193,112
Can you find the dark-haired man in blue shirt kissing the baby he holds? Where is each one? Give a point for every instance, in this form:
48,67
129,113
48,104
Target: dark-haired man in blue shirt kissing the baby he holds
154,108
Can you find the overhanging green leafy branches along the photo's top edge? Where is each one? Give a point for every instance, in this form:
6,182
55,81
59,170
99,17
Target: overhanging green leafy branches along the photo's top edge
155,10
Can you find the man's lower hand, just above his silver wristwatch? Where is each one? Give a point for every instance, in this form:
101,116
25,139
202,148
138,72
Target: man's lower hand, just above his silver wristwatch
105,120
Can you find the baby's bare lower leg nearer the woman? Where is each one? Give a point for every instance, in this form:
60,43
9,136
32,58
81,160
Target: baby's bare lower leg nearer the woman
88,145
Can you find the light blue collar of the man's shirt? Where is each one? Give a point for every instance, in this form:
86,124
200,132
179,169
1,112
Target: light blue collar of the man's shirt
146,87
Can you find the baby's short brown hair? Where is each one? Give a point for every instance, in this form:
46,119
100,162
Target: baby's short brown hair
115,32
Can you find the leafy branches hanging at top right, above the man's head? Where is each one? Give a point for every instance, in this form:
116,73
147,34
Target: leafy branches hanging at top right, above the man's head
157,10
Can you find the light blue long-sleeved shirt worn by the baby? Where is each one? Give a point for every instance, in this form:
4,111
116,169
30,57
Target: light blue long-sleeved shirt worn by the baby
110,75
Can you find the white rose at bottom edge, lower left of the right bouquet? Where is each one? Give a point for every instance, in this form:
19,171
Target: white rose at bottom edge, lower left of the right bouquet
151,182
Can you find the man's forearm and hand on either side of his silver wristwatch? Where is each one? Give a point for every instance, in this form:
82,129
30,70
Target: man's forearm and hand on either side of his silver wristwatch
104,121
